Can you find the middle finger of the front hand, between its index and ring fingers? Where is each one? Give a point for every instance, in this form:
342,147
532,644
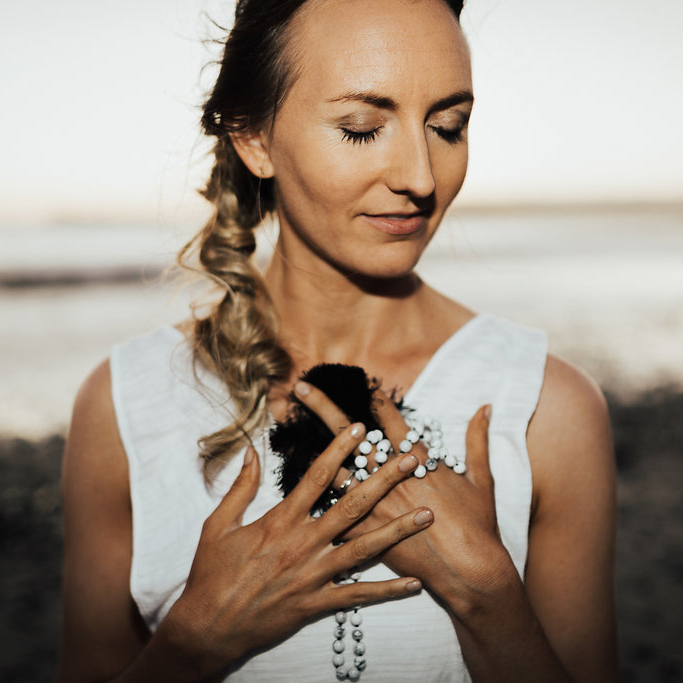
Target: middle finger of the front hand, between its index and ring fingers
362,498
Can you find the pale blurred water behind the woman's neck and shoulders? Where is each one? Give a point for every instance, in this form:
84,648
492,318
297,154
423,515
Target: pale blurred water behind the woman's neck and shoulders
606,284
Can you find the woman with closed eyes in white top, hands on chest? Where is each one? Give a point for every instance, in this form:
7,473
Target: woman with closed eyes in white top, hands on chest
347,118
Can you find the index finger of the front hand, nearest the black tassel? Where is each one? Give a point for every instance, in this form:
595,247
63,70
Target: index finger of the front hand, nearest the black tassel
322,471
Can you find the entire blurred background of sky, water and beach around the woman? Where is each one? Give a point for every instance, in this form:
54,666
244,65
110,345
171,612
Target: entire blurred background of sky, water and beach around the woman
571,220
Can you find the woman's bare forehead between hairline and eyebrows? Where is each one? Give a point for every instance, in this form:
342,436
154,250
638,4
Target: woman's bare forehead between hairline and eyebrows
410,47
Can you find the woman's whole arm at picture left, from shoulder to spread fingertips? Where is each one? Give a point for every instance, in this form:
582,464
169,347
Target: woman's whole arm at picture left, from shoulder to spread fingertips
246,588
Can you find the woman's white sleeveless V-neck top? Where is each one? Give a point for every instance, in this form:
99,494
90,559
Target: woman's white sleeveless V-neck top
163,408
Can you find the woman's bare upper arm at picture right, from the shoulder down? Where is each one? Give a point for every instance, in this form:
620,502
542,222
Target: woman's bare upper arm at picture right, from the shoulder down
570,572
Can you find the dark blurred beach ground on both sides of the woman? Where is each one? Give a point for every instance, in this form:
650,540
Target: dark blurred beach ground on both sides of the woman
649,576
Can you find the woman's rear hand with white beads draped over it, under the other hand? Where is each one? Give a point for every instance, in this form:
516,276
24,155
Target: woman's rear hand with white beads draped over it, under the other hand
461,555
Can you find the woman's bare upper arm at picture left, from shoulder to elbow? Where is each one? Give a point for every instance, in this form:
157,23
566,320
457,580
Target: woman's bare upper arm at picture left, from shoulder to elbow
102,631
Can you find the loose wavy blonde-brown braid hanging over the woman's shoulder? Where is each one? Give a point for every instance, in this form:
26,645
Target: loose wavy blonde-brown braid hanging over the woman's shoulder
237,339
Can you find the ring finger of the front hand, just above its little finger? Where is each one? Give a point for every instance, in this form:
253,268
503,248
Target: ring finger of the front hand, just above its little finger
366,546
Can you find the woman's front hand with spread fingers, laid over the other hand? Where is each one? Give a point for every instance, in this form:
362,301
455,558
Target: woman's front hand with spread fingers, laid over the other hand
250,586
